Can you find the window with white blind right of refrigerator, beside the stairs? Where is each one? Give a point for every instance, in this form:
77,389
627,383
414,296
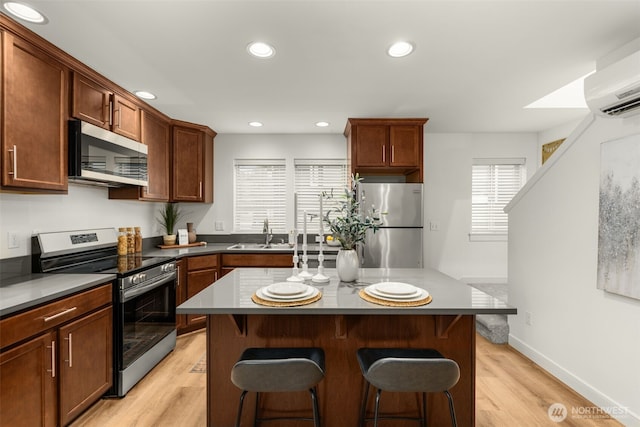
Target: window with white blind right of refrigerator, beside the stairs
494,182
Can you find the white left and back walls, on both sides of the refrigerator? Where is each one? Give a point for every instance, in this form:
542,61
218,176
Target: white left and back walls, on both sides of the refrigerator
447,197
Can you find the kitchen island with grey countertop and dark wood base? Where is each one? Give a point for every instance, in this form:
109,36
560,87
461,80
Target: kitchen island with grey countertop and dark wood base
340,323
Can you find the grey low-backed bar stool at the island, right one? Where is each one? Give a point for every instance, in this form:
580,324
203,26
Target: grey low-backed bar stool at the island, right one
407,370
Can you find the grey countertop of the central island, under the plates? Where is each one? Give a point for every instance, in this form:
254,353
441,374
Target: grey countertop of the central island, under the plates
232,294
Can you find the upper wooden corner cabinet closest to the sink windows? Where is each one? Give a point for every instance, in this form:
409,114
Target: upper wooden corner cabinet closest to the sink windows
192,160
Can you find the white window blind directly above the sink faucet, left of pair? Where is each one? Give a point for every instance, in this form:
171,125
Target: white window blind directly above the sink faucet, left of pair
260,193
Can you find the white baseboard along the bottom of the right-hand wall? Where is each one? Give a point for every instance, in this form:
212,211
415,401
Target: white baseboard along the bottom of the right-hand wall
599,399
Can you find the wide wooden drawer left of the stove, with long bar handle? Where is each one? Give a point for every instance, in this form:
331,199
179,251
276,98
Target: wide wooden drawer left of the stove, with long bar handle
34,321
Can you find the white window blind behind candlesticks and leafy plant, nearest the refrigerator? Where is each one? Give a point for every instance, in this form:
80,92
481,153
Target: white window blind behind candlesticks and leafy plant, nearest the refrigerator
312,177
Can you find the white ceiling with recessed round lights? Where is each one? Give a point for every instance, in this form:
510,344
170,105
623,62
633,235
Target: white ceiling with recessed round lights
475,65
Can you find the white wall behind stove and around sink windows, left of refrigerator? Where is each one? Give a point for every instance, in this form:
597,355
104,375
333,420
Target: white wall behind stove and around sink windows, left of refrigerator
89,207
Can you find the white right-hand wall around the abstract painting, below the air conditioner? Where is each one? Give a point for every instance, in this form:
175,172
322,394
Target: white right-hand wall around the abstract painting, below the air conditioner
588,338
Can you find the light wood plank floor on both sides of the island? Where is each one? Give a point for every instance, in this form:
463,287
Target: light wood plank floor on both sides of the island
510,391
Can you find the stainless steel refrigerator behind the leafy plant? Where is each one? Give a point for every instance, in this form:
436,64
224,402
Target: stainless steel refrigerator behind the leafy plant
398,242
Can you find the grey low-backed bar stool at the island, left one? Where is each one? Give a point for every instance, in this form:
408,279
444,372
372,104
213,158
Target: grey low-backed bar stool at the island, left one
263,370
